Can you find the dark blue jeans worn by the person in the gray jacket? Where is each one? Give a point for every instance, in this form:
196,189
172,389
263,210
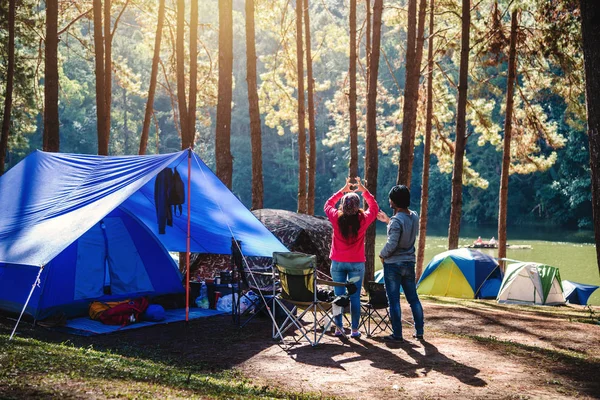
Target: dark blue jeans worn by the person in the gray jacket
402,274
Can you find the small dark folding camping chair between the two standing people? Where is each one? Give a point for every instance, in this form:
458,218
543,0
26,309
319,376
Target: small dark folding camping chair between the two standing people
375,316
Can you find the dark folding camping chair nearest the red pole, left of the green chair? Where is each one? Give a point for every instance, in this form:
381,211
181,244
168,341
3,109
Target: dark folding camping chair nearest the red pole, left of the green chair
255,287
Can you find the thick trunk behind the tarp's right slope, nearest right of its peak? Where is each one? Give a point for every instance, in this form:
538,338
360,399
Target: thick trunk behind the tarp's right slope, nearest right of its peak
223,134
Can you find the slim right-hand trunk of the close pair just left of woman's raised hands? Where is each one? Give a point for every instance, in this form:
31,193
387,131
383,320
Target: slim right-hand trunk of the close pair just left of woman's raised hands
312,130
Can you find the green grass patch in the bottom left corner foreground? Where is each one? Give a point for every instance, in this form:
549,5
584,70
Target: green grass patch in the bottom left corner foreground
32,368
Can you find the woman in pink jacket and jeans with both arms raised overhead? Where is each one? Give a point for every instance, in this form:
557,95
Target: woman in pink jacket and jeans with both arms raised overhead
347,254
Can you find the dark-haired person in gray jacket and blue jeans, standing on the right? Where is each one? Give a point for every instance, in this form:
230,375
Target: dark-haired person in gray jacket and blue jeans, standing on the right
398,258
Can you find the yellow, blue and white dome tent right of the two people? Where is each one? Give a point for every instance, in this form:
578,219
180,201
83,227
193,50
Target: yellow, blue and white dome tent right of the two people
463,273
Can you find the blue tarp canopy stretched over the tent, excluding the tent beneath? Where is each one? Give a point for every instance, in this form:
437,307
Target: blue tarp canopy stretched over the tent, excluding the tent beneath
49,200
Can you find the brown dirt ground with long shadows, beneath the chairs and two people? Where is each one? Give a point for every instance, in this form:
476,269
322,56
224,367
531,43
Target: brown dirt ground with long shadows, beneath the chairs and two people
472,349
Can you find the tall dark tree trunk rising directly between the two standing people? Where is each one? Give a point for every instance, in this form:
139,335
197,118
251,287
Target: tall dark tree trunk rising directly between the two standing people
372,156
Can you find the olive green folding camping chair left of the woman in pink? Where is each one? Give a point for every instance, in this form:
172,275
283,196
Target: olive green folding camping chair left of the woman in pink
298,280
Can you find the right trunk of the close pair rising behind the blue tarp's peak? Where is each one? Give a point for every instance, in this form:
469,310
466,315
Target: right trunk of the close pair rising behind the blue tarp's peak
191,124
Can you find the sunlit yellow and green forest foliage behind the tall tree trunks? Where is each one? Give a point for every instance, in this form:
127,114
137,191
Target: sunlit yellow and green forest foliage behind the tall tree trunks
548,80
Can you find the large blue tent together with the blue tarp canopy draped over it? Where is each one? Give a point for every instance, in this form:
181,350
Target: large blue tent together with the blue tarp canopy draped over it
91,223
